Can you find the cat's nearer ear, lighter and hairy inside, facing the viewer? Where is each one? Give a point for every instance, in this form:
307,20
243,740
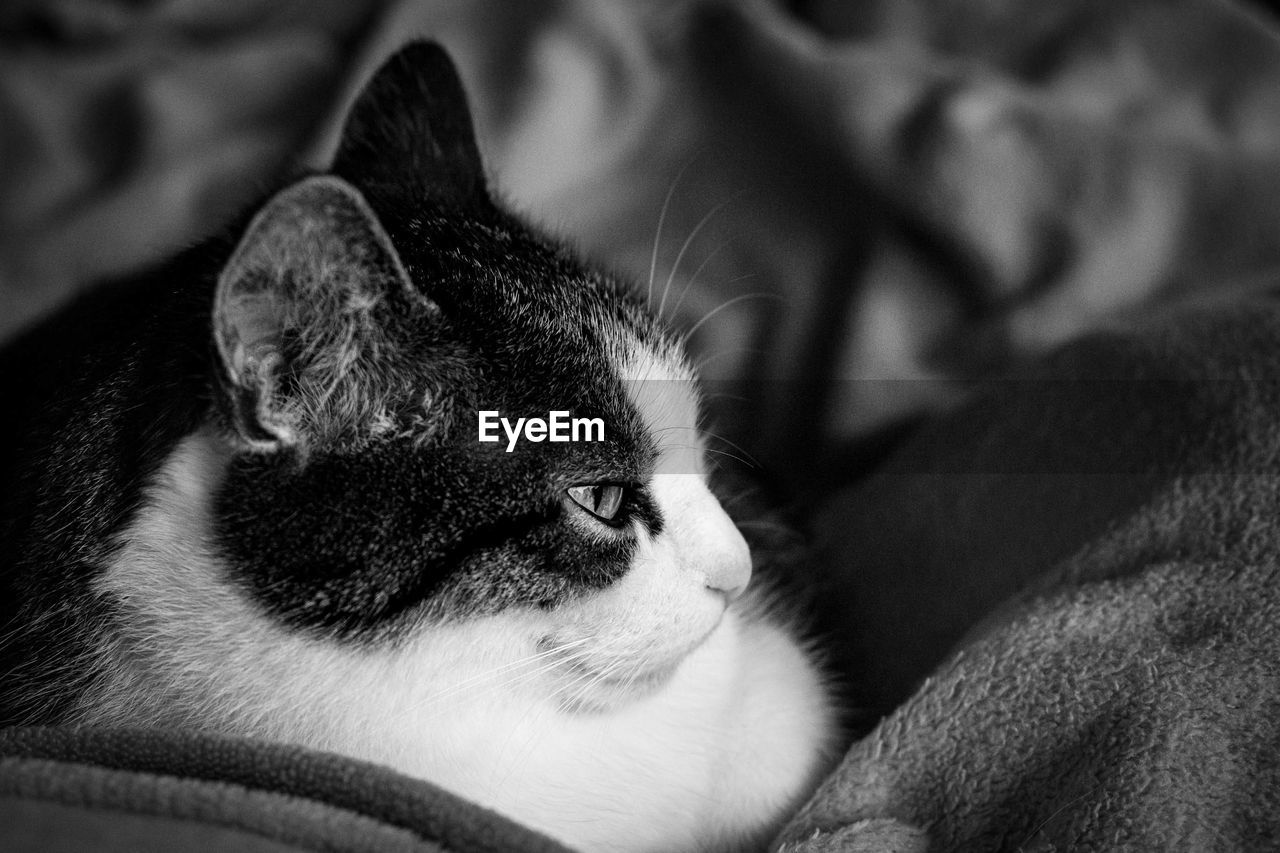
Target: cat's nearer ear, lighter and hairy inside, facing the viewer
303,312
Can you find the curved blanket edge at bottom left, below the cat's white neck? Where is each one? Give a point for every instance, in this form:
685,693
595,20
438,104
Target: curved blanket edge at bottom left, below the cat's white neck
272,796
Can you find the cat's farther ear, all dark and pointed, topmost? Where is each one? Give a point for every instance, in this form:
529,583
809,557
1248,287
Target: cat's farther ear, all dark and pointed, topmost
409,136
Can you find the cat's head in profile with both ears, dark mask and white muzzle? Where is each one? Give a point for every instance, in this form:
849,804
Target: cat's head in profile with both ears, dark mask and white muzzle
364,326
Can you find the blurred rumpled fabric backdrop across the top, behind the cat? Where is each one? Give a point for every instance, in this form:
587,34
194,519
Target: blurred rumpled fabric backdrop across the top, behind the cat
856,209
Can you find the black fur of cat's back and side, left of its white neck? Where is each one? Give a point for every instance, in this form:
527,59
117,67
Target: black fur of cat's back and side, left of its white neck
95,398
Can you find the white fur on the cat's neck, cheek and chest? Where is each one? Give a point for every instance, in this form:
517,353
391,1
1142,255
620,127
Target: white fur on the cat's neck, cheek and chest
644,718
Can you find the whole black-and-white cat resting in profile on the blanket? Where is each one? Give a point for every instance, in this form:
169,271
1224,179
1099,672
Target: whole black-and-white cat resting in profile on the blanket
245,494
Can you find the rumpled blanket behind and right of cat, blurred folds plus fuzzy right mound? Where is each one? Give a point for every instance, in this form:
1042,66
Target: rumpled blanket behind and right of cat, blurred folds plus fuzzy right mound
1048,232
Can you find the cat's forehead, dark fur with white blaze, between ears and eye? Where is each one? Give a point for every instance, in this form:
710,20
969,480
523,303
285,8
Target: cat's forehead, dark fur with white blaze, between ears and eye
543,331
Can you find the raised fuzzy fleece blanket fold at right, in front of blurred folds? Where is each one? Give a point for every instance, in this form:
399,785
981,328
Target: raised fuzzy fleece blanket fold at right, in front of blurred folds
1128,697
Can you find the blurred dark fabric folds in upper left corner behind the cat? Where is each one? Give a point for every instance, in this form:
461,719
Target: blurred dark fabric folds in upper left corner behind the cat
130,130
